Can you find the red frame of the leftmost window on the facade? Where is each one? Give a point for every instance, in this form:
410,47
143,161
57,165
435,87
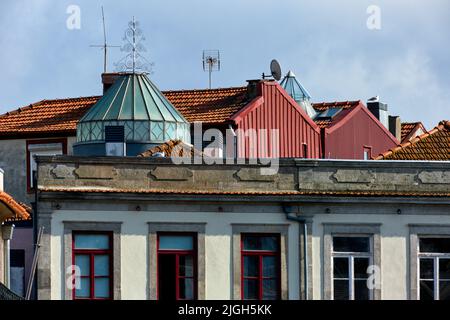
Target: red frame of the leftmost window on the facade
92,253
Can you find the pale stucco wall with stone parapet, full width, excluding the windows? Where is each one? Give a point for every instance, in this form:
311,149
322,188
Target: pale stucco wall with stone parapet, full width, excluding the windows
390,195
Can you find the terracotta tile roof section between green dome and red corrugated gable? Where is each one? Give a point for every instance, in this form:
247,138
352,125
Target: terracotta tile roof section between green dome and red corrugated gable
209,105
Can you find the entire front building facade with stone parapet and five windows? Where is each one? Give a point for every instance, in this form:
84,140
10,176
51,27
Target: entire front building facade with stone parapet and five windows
145,228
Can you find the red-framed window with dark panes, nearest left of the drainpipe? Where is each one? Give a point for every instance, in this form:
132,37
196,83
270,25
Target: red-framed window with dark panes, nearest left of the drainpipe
260,258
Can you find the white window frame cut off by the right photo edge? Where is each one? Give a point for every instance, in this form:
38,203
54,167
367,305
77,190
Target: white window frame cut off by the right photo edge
436,256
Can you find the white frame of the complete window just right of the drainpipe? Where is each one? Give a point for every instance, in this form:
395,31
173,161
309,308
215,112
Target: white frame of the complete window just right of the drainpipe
351,257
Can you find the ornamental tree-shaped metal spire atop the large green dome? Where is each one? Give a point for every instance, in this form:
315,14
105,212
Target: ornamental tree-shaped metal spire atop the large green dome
134,60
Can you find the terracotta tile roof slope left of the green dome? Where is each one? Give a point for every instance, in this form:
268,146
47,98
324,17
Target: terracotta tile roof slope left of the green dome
47,116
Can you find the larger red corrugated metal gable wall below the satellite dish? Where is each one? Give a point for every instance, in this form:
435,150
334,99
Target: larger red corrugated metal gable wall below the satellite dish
276,110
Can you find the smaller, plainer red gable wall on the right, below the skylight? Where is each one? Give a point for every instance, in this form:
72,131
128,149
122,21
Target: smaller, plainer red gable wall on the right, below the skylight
348,141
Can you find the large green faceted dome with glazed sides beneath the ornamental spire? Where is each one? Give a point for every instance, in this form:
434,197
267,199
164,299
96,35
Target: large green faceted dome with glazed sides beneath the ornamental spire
136,104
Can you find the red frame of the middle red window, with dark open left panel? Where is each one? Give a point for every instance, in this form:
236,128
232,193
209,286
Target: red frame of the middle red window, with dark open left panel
177,254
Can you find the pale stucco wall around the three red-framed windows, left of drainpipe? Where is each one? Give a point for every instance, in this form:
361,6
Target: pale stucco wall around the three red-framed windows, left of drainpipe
134,246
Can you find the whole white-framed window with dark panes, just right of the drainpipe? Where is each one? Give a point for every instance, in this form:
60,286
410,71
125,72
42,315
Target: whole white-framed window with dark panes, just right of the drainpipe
351,257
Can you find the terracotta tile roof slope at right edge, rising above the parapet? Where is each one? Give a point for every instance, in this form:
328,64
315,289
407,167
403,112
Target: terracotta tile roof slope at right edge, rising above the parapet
433,145
